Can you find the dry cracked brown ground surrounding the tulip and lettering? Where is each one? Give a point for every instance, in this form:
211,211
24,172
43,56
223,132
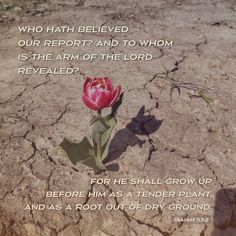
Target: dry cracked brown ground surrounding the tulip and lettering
189,90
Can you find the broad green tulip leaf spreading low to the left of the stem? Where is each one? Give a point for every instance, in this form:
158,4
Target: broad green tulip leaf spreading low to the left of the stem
82,152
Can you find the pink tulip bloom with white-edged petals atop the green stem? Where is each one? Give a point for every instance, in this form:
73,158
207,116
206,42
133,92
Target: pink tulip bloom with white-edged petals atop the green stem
99,93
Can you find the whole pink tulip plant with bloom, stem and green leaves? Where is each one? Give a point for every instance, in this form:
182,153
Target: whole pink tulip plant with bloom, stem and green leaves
98,93
